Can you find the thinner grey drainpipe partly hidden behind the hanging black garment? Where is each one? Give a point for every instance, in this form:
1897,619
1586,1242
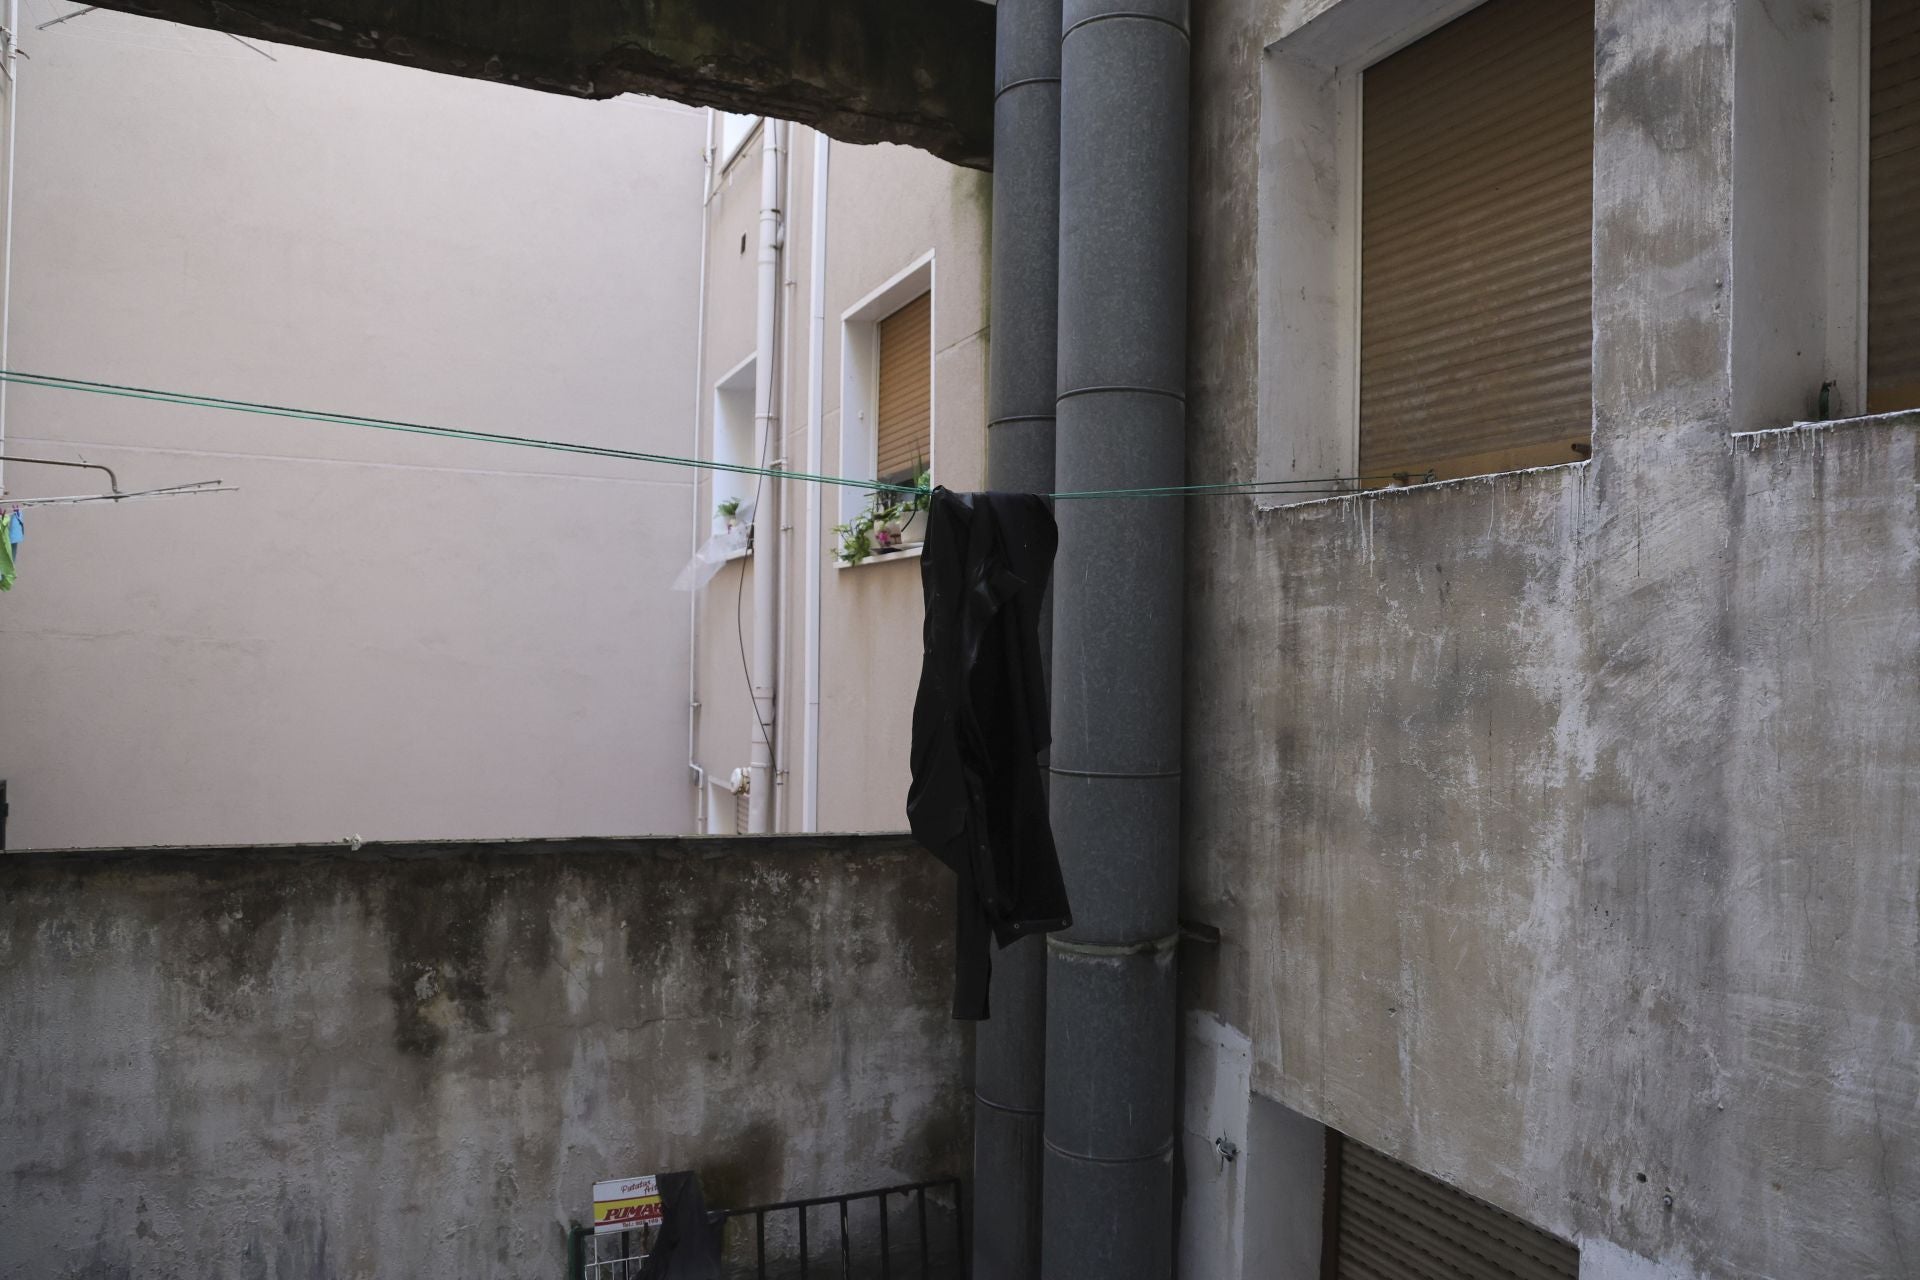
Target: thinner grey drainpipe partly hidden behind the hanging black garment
1011,1049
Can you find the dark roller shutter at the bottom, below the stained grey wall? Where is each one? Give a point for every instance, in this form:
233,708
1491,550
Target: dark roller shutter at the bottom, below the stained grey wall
1395,1223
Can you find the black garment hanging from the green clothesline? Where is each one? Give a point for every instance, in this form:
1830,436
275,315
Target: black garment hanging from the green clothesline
980,724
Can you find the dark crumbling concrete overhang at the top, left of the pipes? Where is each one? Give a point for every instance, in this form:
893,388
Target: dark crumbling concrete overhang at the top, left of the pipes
873,72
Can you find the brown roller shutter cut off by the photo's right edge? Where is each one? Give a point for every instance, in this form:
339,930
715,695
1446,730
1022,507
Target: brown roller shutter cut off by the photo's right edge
1894,208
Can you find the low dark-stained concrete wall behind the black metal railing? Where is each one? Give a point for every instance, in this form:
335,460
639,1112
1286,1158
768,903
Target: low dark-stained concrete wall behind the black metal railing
416,1060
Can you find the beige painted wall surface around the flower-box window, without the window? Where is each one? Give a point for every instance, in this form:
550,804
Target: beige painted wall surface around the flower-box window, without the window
888,208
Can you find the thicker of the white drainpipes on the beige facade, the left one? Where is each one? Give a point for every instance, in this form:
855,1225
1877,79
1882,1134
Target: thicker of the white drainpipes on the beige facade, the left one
767,510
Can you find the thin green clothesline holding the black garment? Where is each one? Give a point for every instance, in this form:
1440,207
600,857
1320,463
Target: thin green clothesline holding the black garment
1328,485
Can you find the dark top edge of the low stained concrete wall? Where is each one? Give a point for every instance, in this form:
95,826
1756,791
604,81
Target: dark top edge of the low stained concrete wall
663,847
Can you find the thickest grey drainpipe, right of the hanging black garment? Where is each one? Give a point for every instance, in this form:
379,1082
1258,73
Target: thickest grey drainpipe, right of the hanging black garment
1118,613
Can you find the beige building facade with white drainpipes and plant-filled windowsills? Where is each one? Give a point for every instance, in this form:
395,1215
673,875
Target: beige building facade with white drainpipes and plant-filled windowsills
900,306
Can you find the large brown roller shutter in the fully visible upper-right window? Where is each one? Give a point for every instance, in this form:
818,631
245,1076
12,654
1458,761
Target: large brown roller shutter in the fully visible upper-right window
1477,231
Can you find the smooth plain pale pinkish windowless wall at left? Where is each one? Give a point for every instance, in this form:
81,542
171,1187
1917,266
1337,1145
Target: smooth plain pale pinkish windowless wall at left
377,634
